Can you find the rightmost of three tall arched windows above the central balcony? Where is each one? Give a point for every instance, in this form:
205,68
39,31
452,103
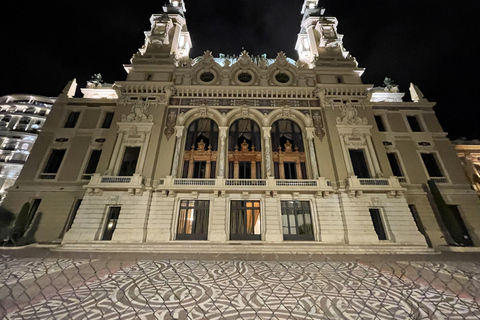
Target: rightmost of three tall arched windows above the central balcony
288,150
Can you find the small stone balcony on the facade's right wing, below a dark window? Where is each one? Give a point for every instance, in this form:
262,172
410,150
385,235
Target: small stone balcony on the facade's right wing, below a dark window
356,186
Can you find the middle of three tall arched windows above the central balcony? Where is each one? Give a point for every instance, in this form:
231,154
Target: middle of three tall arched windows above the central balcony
244,150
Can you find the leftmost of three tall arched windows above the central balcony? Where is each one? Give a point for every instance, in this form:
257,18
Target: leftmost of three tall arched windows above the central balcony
201,143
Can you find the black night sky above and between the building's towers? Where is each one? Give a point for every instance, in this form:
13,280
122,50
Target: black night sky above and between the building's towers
434,44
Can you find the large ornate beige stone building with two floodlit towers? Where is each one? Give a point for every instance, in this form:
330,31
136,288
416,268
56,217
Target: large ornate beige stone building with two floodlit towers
272,154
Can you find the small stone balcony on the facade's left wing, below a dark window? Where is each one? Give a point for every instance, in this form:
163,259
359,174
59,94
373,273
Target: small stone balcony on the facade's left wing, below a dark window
98,183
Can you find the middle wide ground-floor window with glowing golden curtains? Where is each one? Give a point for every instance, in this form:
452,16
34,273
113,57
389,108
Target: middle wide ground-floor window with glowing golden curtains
245,220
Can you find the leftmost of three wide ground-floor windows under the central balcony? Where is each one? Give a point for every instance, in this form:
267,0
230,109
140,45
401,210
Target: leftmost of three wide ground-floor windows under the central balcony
193,220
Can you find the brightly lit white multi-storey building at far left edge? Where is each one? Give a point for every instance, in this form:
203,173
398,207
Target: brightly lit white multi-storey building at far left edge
21,120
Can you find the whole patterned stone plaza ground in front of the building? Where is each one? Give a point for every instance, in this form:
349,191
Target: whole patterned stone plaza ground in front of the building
46,285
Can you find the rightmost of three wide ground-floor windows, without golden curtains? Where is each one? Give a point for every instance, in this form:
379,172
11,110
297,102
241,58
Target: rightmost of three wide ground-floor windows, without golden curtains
297,220
